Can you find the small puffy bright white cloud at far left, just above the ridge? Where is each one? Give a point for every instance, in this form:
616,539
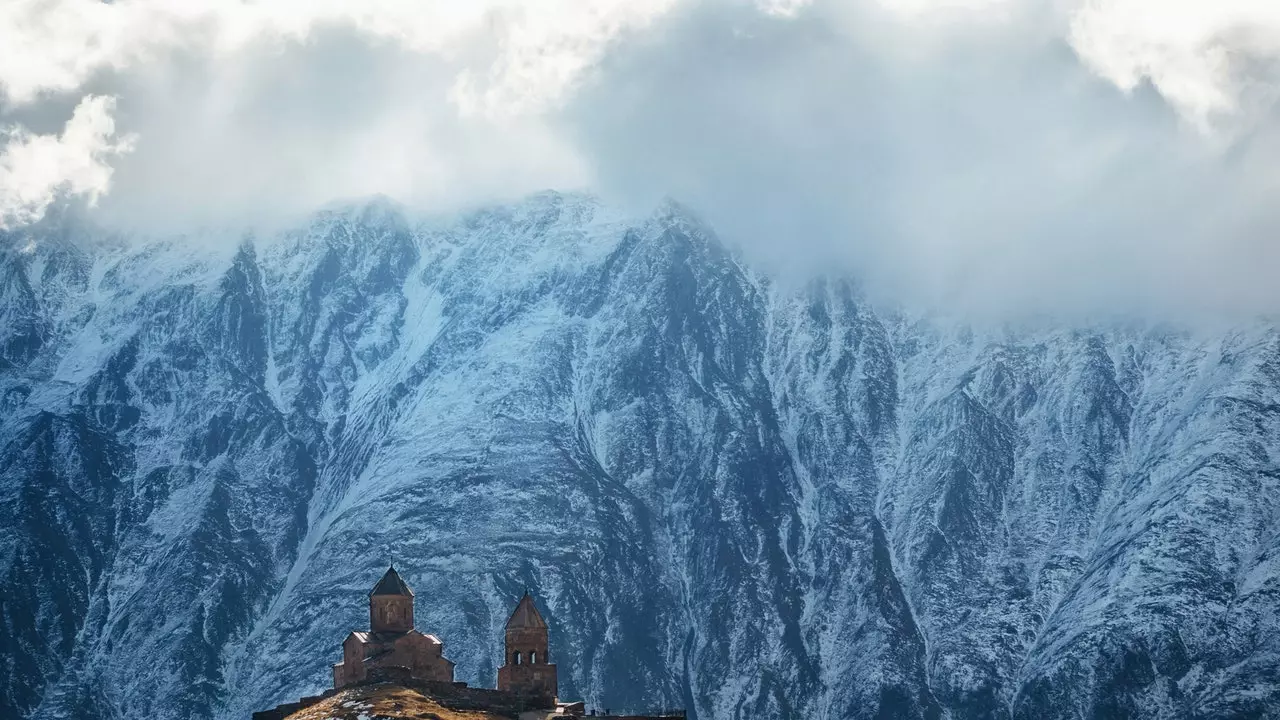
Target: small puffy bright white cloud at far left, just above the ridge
35,168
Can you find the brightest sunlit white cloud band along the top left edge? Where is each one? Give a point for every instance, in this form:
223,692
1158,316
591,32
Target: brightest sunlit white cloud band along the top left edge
534,52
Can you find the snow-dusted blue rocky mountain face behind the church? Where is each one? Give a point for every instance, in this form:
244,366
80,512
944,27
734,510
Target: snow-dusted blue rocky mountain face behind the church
749,502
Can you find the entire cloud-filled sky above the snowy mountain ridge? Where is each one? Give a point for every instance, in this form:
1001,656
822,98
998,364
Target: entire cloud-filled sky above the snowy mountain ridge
1057,154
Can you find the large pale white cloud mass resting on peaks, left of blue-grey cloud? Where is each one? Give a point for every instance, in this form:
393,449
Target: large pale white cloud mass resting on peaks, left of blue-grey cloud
436,103
